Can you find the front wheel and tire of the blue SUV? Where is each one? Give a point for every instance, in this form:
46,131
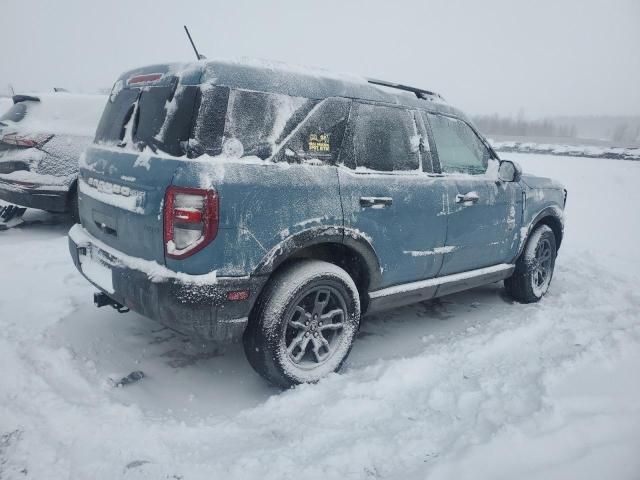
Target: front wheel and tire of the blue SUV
534,269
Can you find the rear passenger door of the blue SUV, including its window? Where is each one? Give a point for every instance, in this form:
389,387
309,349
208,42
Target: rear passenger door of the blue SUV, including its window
387,193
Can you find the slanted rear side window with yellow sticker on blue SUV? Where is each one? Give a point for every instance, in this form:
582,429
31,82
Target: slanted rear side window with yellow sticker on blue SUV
318,137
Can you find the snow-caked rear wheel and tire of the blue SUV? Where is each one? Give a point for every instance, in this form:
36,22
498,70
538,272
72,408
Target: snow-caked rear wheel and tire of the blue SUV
304,324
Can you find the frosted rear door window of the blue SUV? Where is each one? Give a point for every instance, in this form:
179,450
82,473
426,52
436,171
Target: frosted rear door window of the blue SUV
383,138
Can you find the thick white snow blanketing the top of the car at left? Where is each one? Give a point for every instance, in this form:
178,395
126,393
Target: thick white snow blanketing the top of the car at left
62,113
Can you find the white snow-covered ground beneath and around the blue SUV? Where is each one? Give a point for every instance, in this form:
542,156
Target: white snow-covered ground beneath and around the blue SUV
468,386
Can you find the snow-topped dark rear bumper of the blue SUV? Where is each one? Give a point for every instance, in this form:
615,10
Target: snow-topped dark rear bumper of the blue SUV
194,305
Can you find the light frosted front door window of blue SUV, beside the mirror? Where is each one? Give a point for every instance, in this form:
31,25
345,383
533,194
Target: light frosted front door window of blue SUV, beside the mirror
459,148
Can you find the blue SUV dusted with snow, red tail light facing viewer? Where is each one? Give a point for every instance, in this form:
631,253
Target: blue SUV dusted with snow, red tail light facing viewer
233,200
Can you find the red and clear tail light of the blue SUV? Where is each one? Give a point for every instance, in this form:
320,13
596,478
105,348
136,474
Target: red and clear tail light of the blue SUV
190,220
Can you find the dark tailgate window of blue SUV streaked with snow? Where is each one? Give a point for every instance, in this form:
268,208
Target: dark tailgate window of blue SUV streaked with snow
157,117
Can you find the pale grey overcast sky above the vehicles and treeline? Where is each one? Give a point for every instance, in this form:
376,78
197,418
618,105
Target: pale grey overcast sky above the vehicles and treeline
542,56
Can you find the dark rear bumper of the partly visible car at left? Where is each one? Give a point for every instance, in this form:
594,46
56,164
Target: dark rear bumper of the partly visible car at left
54,199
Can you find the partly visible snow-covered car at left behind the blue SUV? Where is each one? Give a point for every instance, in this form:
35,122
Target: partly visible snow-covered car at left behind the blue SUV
41,139
